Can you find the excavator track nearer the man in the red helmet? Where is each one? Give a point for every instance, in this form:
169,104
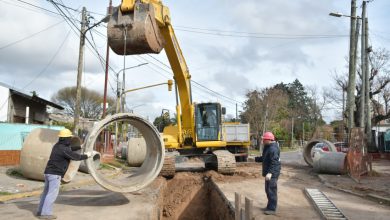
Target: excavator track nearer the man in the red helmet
225,162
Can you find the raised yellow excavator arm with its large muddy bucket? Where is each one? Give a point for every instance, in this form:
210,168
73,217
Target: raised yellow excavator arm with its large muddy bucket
144,26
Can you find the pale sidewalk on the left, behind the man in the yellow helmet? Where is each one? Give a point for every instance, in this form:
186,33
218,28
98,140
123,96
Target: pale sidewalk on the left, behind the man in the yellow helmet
13,185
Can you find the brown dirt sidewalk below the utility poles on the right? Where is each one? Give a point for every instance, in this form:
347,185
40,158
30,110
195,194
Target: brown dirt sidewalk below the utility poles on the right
375,187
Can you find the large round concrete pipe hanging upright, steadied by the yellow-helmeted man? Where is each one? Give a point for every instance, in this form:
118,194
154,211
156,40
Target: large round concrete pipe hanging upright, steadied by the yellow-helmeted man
154,154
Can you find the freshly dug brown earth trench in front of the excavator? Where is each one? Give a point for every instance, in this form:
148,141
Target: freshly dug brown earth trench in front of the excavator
193,196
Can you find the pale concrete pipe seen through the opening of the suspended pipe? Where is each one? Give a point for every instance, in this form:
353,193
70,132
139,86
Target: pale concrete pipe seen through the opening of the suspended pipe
136,151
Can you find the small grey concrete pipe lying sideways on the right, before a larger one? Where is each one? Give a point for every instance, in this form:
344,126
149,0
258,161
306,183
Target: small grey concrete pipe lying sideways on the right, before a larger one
329,162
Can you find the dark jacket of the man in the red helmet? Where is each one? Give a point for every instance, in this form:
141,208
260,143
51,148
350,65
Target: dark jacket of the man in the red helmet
271,160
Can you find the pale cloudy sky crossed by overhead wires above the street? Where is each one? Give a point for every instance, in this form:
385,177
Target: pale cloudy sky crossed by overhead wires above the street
230,47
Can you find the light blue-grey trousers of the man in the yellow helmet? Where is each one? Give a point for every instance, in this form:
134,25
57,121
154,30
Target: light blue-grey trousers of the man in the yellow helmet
49,194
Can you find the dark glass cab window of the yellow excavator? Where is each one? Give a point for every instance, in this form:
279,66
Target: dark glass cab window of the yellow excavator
208,120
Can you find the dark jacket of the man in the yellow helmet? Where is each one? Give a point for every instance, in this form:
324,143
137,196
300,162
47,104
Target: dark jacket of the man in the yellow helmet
60,156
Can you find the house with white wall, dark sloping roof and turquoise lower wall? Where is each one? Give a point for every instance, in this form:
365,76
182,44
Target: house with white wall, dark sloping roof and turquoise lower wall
20,113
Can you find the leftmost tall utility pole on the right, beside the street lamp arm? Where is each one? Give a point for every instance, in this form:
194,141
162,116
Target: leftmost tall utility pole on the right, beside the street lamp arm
352,68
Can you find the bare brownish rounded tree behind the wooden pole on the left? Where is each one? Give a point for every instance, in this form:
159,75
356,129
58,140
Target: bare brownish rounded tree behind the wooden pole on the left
91,102
